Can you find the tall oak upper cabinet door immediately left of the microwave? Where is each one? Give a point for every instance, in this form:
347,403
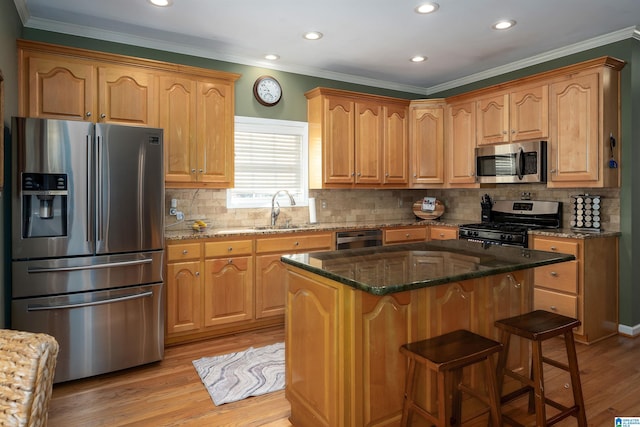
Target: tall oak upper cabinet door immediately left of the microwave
461,143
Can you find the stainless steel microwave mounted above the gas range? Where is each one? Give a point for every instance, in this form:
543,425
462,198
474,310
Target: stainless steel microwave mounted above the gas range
512,163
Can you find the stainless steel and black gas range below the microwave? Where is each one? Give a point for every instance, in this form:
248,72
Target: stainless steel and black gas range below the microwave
508,221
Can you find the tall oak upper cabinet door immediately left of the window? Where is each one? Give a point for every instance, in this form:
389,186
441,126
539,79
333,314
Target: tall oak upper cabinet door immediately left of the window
215,159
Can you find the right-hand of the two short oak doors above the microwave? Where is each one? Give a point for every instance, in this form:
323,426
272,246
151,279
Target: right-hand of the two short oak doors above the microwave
529,113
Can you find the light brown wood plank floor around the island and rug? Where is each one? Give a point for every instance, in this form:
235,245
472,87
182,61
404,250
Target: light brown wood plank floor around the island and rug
170,393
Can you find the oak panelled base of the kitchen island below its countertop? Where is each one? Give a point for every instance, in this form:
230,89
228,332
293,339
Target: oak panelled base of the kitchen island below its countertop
343,365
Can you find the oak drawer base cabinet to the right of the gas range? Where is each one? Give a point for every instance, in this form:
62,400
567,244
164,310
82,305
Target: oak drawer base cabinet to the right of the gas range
586,289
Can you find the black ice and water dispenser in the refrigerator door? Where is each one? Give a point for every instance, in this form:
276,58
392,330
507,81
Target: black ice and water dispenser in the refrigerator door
44,204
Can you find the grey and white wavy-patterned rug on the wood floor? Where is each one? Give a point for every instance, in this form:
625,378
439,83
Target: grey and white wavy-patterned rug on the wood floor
236,376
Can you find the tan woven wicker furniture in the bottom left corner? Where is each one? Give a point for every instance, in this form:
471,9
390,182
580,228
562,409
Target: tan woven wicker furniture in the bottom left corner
27,367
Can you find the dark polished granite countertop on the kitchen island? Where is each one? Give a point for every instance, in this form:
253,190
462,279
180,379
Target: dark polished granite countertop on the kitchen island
449,261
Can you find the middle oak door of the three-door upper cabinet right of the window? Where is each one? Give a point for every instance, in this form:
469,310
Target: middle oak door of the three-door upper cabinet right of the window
369,131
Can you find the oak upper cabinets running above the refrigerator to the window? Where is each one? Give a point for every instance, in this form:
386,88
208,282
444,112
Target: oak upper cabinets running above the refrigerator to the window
194,106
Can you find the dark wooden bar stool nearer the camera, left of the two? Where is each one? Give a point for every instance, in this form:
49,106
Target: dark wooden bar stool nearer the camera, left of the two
447,355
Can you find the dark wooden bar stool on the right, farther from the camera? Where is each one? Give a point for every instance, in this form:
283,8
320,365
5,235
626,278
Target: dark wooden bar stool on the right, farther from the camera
538,326
